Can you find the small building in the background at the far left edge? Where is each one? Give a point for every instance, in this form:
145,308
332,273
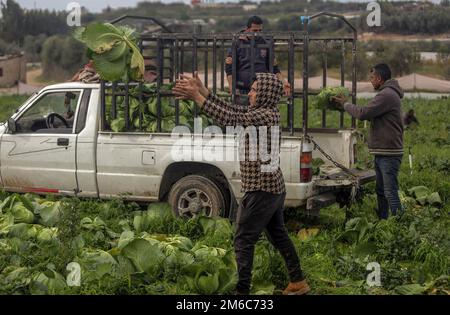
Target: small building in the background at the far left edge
13,69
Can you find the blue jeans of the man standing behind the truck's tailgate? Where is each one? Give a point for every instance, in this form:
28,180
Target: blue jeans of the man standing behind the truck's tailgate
386,168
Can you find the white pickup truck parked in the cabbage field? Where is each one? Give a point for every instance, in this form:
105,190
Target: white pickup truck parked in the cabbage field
54,144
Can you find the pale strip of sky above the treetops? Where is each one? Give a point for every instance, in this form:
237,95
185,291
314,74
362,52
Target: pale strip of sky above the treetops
98,5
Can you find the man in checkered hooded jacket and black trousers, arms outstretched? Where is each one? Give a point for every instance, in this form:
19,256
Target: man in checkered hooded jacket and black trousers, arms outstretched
262,206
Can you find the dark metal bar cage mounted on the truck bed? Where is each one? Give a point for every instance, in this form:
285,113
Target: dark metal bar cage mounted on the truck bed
169,54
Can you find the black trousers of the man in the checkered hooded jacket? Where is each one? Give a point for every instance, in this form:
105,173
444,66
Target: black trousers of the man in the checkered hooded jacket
260,210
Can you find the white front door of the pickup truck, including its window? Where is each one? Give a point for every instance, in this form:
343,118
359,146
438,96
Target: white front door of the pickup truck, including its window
40,155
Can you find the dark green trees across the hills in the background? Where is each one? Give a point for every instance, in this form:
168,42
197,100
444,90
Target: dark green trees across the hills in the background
45,36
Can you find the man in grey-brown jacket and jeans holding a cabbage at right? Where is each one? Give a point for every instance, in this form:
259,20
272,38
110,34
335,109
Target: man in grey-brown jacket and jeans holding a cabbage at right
385,136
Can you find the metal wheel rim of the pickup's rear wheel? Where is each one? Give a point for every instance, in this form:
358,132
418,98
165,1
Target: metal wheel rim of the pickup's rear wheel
193,202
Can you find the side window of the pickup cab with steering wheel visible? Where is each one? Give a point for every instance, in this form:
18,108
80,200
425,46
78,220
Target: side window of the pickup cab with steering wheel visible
52,113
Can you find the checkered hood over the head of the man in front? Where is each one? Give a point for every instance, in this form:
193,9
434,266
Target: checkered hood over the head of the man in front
269,90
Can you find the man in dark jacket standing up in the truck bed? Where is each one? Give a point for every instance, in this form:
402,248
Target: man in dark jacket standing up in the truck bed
243,62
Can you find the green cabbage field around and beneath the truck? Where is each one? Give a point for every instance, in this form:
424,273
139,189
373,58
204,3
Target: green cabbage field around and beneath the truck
51,245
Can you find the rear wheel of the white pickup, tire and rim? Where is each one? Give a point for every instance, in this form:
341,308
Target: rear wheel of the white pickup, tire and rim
196,194
